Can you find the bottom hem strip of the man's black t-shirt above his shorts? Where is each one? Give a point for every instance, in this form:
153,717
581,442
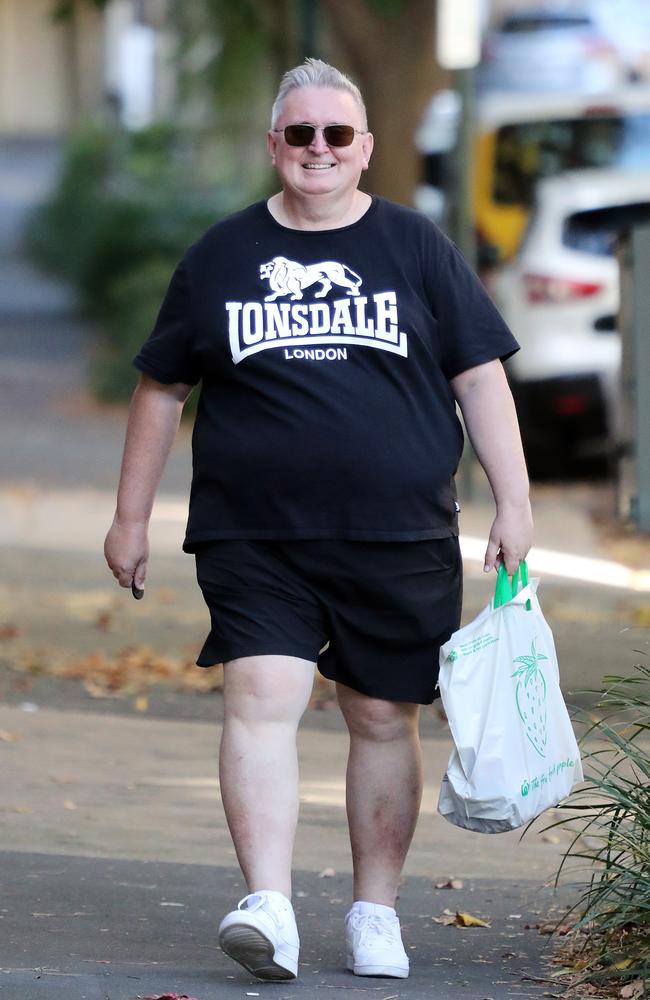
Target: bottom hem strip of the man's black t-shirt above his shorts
195,540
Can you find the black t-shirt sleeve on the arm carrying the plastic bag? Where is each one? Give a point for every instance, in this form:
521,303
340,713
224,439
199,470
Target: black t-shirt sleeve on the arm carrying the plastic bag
471,330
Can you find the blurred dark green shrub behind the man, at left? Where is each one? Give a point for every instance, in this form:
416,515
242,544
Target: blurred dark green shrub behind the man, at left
125,208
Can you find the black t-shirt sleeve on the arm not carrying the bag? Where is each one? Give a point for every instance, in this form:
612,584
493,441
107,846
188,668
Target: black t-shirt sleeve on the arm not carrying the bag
169,355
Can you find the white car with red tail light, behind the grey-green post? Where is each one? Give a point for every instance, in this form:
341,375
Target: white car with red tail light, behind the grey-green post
560,296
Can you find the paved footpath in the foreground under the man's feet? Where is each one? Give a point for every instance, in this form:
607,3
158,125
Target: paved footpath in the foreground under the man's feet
117,868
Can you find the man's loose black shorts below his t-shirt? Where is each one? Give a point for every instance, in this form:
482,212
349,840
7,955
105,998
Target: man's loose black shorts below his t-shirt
372,615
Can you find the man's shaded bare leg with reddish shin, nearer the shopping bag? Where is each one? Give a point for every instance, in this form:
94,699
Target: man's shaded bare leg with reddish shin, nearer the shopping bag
383,792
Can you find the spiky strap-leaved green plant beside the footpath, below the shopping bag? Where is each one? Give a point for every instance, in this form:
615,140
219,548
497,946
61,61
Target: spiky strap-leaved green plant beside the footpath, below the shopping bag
610,817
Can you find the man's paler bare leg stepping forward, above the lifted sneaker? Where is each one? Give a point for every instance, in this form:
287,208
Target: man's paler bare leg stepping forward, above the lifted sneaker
264,699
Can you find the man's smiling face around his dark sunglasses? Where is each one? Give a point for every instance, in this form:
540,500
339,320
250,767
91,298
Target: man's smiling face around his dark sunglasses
319,169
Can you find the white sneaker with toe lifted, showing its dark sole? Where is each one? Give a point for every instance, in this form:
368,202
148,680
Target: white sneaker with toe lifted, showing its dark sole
261,935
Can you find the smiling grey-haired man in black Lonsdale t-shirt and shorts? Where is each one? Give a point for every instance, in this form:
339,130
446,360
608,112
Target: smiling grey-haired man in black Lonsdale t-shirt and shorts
333,333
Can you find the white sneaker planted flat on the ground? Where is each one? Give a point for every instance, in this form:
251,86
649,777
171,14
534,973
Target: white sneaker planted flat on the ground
374,942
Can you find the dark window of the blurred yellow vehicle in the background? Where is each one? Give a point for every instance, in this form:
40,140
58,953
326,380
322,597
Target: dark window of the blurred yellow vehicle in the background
530,150
